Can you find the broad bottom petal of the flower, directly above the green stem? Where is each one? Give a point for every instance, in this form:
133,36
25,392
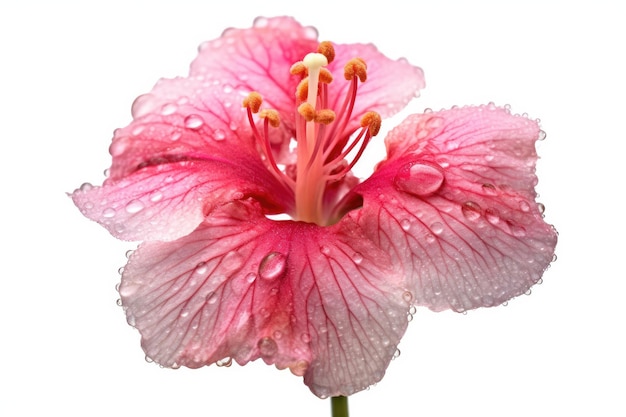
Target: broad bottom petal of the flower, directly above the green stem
320,301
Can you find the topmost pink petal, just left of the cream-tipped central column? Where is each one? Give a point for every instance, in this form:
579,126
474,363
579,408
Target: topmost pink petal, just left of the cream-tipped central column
259,59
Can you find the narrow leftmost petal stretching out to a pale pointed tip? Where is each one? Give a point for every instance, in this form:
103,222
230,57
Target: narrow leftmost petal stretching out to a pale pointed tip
168,200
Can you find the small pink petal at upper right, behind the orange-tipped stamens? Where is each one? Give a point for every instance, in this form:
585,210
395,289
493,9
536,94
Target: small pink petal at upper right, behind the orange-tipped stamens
390,84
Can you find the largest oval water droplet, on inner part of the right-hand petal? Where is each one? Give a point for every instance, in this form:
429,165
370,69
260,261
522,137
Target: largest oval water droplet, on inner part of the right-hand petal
419,178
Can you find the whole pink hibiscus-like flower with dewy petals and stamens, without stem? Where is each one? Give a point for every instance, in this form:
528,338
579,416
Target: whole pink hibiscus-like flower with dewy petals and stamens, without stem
448,220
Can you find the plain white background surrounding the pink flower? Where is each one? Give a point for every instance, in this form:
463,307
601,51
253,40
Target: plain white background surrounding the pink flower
69,72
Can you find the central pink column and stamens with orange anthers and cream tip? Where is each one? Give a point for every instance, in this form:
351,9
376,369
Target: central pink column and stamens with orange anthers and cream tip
328,143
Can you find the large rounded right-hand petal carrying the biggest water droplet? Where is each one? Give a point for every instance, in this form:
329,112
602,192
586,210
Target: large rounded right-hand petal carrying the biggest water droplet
455,205
